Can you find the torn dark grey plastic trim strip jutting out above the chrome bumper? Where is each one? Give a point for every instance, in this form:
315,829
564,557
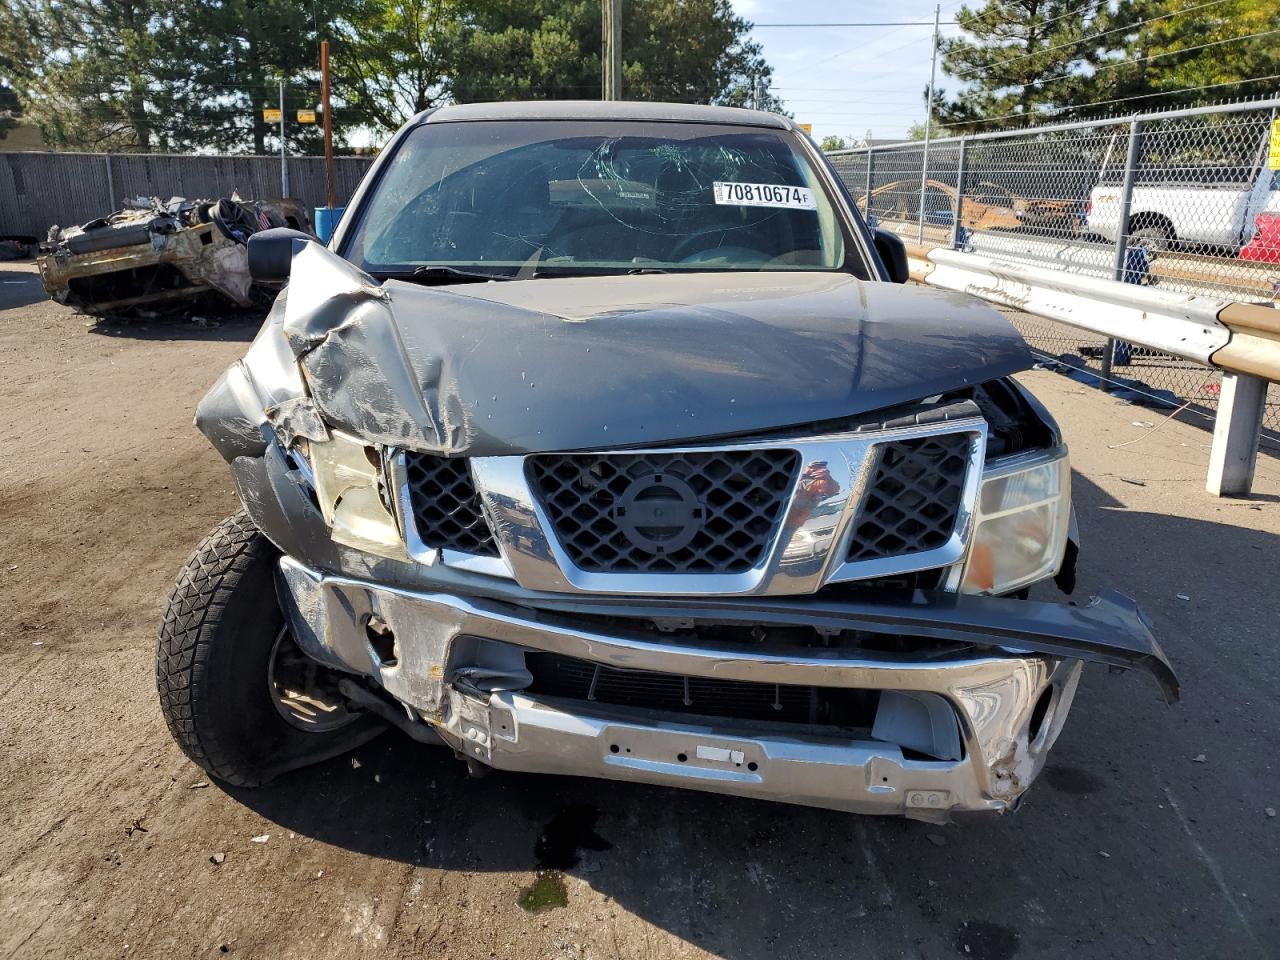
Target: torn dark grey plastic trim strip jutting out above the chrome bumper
1109,629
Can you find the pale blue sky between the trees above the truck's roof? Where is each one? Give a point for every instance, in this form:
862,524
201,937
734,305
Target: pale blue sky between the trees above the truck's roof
849,81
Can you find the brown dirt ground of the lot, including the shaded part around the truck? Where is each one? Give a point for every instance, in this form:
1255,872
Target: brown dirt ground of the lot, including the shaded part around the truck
1153,834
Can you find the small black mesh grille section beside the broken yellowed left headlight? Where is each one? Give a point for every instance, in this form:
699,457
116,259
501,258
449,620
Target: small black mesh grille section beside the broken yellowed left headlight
446,506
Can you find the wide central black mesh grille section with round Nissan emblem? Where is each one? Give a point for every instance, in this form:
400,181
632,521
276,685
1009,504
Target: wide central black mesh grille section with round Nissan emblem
726,508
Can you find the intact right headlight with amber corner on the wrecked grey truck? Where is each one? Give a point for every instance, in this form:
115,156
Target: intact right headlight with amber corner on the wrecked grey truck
1021,527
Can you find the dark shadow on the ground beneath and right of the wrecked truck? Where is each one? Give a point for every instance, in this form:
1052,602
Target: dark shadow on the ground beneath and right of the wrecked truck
746,879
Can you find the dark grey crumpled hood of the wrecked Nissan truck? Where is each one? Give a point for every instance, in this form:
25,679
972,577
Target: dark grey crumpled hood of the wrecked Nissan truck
534,365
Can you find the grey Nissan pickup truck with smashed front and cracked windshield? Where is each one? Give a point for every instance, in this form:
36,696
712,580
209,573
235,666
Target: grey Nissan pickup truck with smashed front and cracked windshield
605,441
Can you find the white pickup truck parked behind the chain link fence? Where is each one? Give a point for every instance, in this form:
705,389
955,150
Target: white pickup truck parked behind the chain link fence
1191,214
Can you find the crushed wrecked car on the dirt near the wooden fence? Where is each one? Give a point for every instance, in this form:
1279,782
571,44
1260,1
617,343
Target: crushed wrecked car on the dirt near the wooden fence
154,254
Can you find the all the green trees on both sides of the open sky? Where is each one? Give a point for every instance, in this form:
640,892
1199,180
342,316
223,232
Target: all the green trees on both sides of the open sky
196,75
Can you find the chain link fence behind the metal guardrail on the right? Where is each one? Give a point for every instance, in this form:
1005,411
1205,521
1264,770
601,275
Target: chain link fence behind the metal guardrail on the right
1181,200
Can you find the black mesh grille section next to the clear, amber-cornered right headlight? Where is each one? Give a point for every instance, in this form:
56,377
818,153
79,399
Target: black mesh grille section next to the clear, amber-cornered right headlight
915,497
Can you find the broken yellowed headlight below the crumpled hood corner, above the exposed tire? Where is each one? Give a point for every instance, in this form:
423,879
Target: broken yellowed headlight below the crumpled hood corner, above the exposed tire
346,476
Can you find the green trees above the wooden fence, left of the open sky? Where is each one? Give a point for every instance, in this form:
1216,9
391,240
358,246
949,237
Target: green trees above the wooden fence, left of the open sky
198,75
